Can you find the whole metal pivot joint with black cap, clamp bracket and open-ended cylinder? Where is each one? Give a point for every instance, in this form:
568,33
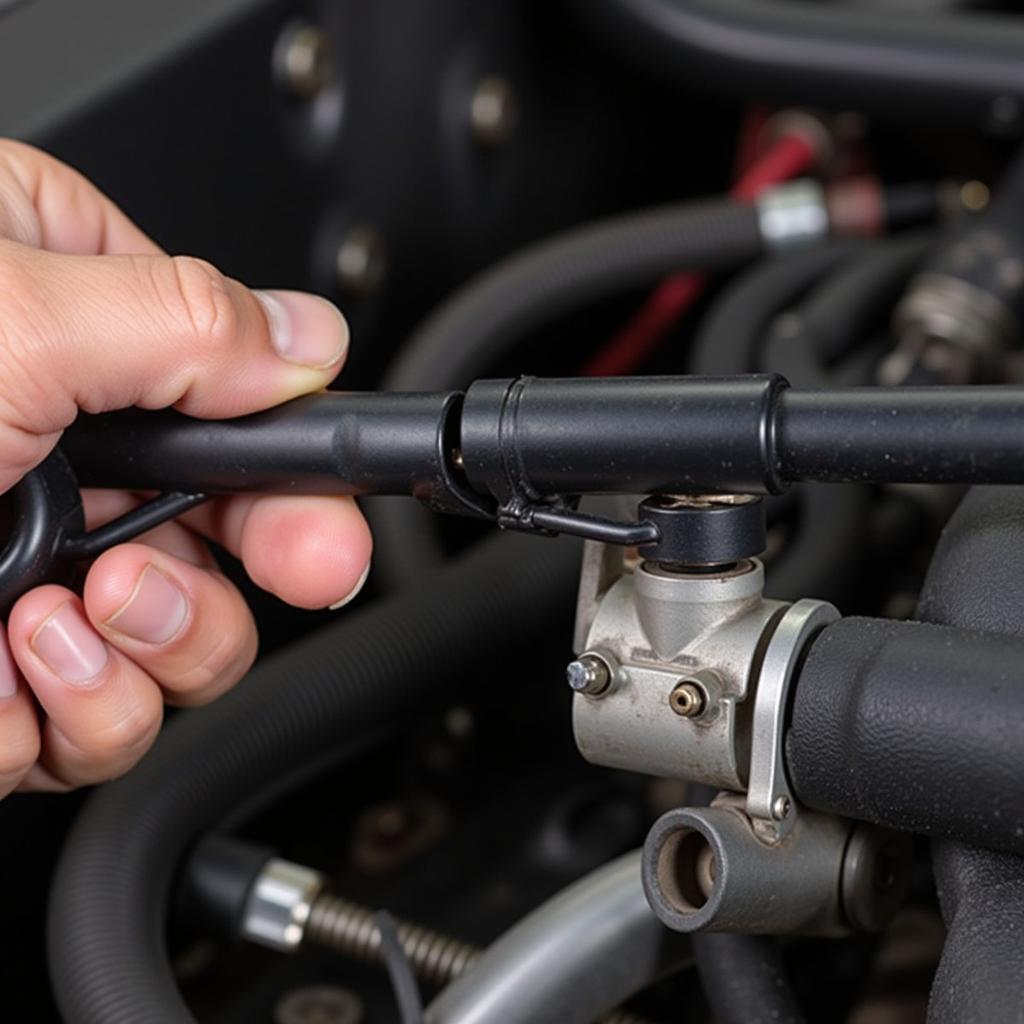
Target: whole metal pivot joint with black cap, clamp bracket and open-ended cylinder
691,676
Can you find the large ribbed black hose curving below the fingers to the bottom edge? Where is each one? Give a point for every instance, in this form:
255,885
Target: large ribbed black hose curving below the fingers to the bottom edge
109,901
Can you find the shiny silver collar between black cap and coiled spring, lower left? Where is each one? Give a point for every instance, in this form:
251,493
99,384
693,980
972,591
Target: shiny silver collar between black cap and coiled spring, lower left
279,905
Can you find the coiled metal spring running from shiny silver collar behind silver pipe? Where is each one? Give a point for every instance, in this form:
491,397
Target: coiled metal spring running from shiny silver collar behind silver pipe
350,929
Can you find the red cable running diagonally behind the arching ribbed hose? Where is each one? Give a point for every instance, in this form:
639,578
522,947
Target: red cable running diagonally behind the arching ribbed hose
788,158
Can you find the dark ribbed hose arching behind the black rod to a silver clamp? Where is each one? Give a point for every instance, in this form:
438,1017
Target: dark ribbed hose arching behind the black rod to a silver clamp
499,310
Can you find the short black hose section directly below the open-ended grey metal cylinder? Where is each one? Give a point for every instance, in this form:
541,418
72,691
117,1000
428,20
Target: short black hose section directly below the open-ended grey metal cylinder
745,980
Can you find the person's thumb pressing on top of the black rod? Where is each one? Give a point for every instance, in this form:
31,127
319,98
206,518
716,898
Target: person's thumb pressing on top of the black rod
101,333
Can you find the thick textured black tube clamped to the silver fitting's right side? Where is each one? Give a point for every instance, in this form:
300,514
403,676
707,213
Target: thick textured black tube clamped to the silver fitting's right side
916,728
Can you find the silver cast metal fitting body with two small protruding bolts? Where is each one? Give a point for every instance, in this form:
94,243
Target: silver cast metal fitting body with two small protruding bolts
665,630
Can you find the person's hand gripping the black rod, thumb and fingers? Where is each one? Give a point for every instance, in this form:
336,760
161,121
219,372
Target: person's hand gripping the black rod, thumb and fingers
95,317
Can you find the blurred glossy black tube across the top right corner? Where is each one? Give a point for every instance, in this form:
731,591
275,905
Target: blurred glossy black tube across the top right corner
950,67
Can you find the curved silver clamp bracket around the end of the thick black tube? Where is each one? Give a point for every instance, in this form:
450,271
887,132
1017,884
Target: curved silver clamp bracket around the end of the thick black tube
771,802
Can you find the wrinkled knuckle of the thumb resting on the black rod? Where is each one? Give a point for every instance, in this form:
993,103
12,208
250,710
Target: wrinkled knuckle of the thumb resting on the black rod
198,298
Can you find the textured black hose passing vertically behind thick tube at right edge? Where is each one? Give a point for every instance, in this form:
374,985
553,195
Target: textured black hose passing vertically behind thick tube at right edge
976,580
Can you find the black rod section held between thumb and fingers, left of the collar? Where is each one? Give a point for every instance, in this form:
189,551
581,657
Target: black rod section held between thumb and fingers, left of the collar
356,443
